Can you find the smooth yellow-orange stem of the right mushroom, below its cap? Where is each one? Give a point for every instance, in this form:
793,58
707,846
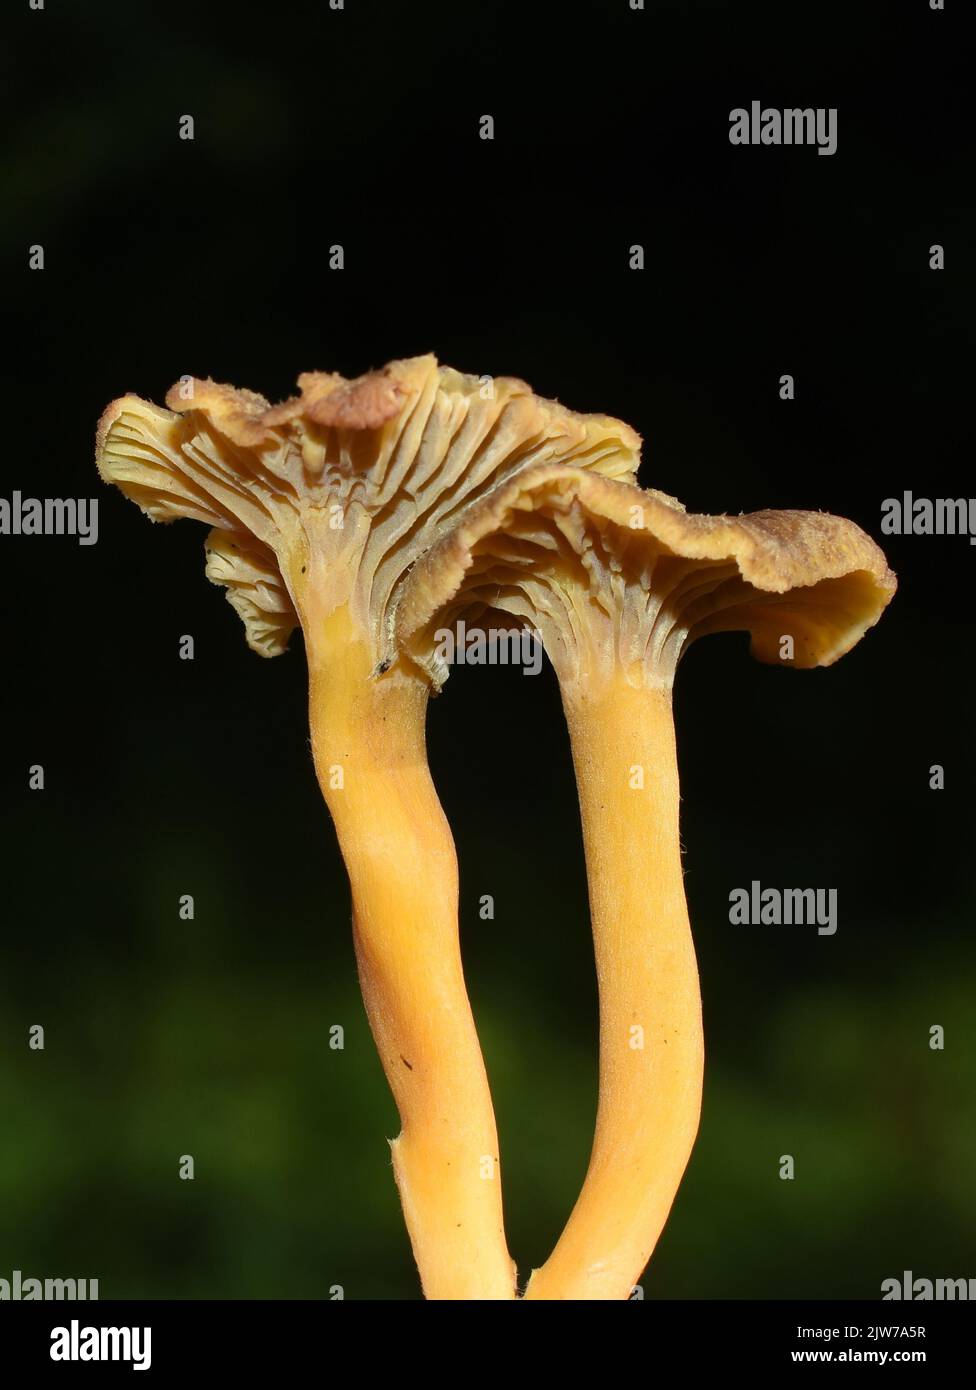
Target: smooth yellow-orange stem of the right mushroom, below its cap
650,1096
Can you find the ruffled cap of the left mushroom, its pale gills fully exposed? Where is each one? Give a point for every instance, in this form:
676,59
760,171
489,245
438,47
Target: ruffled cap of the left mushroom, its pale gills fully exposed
343,487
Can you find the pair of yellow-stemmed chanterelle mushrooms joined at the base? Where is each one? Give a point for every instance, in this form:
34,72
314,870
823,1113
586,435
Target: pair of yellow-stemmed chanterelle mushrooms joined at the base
376,512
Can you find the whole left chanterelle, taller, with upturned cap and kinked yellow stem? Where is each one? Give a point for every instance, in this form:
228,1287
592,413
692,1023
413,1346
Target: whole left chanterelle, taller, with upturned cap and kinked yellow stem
319,507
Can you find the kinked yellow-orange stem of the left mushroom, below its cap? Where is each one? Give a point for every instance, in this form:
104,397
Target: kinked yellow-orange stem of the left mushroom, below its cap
368,740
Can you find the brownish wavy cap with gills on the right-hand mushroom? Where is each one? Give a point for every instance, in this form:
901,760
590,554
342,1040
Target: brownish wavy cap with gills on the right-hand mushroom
615,576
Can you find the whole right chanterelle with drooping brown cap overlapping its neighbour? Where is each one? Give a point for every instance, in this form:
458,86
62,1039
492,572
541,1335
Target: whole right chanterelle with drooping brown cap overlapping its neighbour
619,582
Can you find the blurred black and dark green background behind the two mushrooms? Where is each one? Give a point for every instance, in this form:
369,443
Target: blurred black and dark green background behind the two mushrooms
211,1038
